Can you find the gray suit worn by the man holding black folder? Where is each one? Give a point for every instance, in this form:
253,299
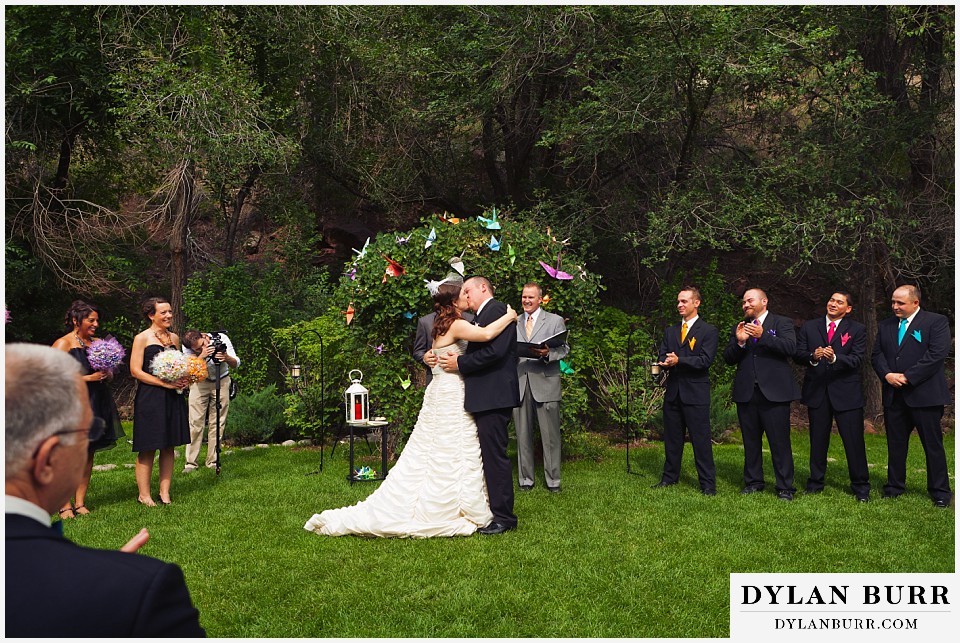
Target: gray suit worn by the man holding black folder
539,381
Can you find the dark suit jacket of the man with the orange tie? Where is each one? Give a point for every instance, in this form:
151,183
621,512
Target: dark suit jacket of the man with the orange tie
690,378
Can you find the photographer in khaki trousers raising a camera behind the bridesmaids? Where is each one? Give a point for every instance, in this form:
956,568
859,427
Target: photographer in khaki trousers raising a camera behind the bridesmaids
217,350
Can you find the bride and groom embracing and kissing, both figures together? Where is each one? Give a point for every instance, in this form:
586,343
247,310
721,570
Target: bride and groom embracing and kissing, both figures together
453,477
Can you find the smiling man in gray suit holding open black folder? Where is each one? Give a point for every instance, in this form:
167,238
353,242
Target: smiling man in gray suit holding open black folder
538,371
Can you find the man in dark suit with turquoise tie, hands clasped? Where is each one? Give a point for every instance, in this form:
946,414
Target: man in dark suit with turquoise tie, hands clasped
908,356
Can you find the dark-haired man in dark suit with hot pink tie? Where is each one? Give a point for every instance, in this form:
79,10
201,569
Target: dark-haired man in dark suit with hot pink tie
833,348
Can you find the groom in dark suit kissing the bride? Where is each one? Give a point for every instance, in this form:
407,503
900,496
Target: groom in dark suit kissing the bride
491,392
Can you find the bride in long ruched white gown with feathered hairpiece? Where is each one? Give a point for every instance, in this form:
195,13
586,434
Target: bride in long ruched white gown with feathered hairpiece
436,487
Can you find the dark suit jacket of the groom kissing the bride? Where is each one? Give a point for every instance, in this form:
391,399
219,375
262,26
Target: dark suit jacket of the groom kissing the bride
489,369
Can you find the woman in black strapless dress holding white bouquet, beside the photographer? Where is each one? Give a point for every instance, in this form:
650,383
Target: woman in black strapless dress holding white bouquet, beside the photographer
159,409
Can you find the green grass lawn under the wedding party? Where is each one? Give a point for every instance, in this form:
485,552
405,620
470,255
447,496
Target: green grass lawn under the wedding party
609,557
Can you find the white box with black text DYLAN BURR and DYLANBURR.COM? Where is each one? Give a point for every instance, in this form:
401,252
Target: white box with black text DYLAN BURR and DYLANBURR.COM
847,607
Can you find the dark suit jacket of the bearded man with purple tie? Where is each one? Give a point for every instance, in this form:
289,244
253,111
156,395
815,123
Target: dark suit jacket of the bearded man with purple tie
765,362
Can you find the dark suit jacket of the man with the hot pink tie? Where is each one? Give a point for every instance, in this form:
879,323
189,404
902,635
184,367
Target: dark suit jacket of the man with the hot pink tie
840,380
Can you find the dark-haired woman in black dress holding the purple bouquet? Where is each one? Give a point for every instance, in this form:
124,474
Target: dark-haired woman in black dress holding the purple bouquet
82,321
